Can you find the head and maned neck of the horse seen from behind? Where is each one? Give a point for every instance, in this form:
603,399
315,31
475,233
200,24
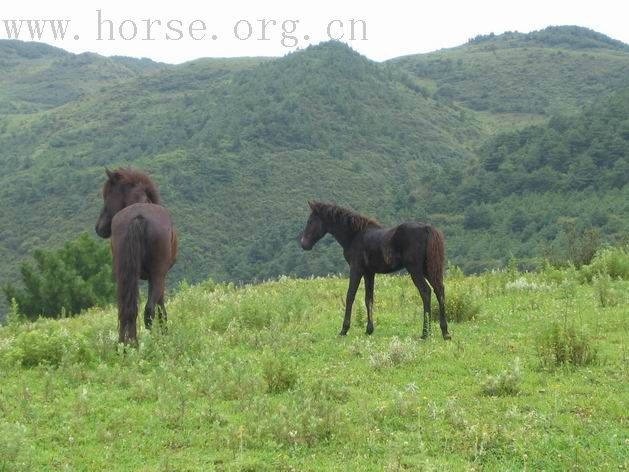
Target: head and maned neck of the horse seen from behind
123,188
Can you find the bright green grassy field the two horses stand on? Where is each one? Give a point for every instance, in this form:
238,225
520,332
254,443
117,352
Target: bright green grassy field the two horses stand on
256,378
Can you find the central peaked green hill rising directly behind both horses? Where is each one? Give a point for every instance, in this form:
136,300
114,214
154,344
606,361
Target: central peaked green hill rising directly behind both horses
237,148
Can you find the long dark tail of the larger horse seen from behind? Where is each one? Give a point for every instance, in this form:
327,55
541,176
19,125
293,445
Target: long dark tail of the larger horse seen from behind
128,275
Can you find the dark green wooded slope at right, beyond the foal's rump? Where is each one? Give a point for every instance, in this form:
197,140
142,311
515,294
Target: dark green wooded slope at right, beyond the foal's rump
531,191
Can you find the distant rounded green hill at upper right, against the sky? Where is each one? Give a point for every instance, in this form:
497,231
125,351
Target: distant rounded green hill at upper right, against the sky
556,70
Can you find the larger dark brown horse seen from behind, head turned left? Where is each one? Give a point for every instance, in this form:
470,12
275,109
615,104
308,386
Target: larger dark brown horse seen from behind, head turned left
143,244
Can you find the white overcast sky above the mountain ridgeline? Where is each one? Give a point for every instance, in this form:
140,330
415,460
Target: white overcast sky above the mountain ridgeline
394,28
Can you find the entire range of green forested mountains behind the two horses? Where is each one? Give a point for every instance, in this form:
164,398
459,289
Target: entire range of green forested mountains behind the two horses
237,146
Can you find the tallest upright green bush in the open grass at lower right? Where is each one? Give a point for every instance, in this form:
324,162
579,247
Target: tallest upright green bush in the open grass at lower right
565,346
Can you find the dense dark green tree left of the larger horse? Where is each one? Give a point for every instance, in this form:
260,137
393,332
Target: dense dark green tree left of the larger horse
70,279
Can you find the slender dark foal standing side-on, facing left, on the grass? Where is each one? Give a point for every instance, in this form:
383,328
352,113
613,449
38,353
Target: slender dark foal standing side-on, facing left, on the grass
370,249
